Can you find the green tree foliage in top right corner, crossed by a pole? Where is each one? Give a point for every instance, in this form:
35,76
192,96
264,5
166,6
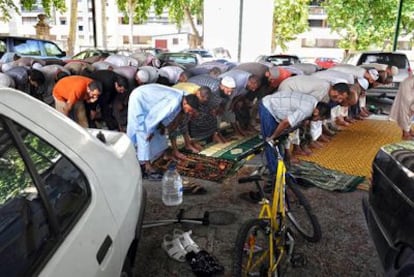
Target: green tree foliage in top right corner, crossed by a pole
365,24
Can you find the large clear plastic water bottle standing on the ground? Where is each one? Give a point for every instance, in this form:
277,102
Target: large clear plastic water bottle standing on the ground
172,187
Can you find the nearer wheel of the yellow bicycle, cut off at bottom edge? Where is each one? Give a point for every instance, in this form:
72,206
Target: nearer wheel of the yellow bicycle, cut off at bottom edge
251,256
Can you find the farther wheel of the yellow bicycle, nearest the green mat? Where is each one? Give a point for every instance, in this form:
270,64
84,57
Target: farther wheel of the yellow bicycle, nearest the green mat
300,213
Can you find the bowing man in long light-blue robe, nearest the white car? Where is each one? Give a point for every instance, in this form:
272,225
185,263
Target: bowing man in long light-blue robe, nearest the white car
153,108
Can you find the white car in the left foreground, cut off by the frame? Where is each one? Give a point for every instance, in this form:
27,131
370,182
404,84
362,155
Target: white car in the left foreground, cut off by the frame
71,204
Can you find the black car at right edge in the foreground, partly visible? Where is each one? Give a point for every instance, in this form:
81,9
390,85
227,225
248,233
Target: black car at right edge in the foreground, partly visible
389,208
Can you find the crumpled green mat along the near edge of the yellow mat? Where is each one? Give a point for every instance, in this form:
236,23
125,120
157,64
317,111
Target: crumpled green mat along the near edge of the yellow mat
333,180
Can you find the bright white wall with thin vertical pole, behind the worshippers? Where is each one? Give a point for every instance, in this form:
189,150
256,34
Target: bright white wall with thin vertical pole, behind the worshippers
244,27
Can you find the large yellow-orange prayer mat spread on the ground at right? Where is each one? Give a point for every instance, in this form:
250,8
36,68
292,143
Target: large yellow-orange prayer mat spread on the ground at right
353,149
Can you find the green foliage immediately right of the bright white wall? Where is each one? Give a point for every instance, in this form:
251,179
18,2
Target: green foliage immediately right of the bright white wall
290,18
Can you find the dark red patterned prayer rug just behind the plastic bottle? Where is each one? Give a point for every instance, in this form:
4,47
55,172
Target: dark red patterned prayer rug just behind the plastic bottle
201,167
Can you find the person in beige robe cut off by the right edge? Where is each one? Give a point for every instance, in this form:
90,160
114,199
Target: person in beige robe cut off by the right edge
402,109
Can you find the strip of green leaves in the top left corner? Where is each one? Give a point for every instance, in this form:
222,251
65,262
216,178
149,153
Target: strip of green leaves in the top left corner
7,7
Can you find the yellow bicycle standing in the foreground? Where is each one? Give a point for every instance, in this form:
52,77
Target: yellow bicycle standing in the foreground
265,244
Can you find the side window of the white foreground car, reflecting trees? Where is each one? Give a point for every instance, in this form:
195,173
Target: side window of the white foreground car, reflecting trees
42,194
